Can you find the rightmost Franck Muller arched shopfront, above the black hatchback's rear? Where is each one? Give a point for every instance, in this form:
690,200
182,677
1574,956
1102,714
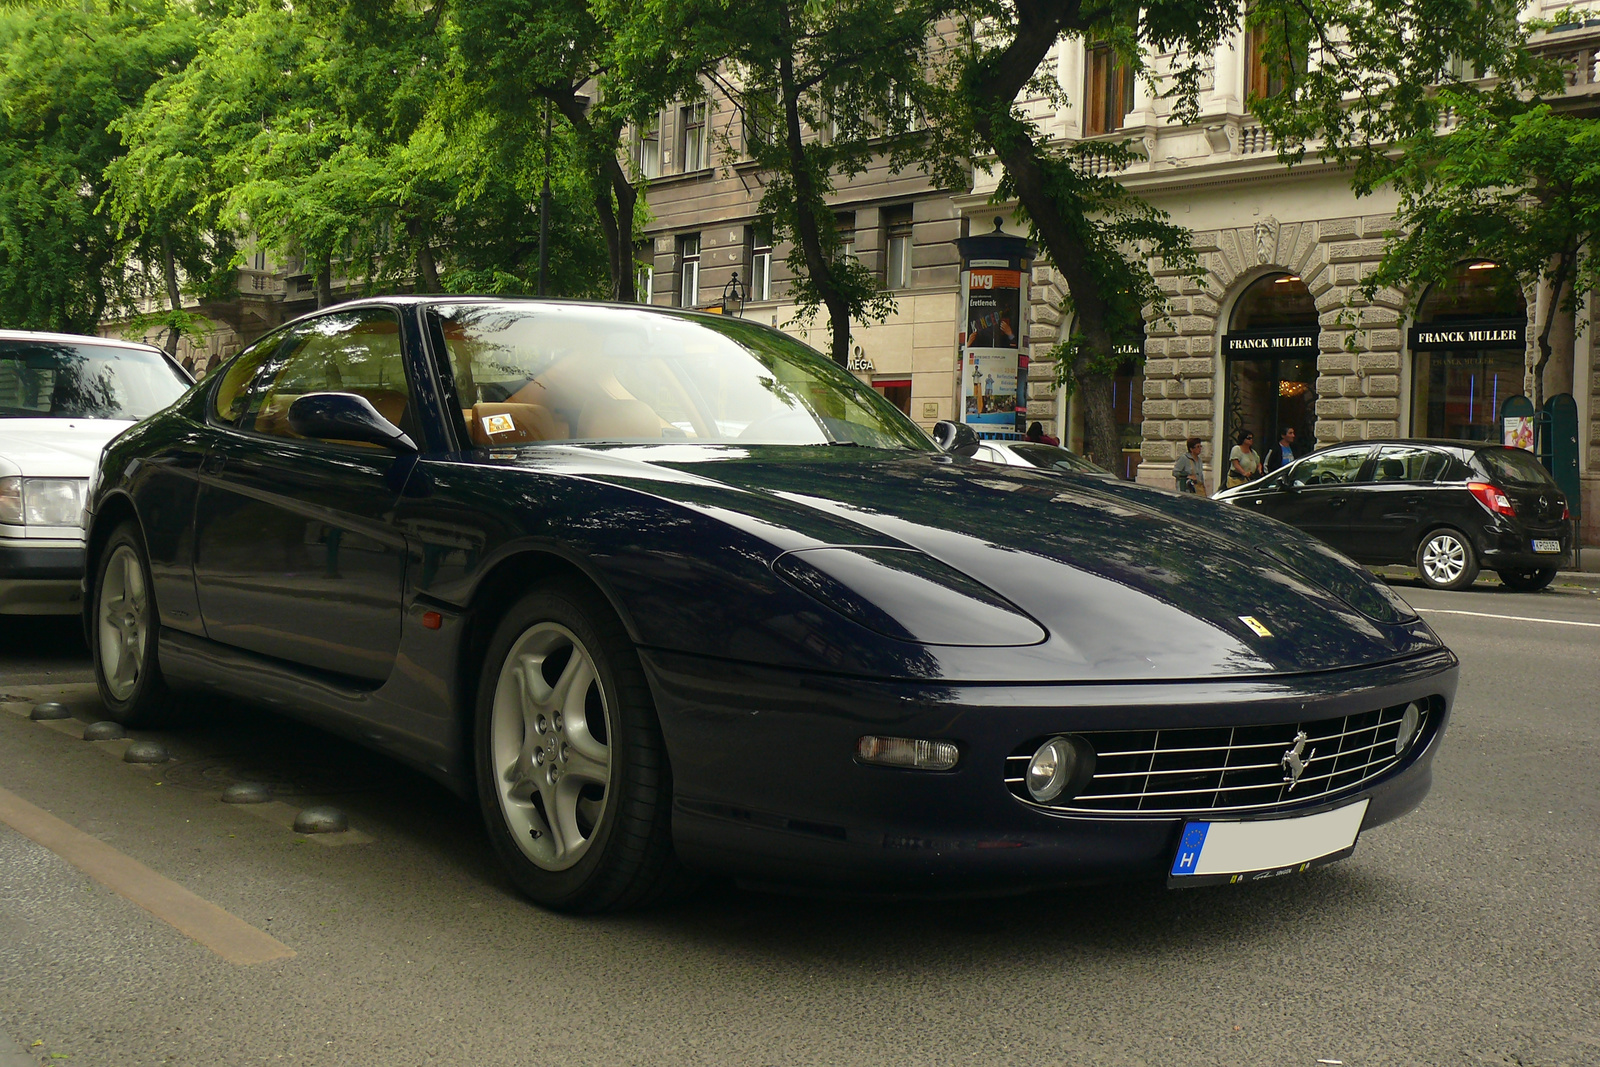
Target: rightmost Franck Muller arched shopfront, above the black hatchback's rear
1468,353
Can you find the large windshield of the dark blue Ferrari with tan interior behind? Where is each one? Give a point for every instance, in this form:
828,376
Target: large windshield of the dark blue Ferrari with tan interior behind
572,374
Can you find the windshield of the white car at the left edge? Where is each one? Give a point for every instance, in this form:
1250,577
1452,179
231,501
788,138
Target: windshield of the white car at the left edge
65,380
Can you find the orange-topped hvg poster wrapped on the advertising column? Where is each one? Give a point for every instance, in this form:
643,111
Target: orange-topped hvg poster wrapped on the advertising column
991,345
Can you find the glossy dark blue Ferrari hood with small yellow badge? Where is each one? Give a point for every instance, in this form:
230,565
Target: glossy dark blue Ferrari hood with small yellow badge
1127,581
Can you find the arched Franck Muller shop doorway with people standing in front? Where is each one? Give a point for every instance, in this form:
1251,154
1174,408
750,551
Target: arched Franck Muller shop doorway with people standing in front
1271,362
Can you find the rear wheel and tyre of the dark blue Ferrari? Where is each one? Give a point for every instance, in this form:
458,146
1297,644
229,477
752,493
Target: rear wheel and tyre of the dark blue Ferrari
127,666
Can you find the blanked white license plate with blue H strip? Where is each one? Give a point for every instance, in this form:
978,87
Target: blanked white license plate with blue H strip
1249,850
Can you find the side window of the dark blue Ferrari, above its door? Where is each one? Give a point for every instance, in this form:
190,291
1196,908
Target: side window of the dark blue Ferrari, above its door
356,353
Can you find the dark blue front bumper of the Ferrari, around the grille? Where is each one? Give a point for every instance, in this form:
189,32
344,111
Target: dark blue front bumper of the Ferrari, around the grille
767,789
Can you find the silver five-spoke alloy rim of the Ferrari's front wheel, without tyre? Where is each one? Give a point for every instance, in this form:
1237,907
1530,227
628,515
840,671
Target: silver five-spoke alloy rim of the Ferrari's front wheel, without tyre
550,746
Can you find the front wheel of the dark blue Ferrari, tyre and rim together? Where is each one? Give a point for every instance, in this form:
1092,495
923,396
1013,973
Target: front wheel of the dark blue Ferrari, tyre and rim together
617,852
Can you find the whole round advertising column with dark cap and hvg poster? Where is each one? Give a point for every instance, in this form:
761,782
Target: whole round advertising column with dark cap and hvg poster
993,342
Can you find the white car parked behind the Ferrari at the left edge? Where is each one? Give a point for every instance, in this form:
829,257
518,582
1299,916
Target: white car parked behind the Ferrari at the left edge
63,398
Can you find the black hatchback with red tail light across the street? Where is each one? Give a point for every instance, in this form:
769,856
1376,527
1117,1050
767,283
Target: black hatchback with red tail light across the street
1446,508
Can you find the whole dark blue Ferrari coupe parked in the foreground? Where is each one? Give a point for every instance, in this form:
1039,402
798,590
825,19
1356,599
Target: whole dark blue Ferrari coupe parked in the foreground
673,591
